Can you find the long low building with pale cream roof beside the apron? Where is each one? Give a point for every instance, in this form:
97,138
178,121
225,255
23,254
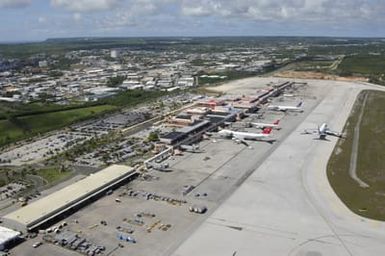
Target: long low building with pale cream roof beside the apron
69,198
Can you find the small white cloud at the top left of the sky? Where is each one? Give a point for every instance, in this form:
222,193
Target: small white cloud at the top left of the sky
86,5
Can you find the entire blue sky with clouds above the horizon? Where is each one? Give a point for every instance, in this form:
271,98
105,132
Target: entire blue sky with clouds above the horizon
31,20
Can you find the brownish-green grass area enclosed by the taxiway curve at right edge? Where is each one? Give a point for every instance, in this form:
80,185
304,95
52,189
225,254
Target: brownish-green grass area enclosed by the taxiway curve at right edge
367,202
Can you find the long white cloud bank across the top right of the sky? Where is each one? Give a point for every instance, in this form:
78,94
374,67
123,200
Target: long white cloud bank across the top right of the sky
285,10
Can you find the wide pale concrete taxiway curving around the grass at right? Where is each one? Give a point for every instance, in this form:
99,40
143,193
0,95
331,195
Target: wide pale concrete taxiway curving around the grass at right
287,207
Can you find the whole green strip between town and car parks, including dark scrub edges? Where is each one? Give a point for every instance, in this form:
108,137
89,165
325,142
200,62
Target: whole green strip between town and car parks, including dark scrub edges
22,121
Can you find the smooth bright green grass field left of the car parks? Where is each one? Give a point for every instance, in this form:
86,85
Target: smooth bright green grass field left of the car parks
25,126
